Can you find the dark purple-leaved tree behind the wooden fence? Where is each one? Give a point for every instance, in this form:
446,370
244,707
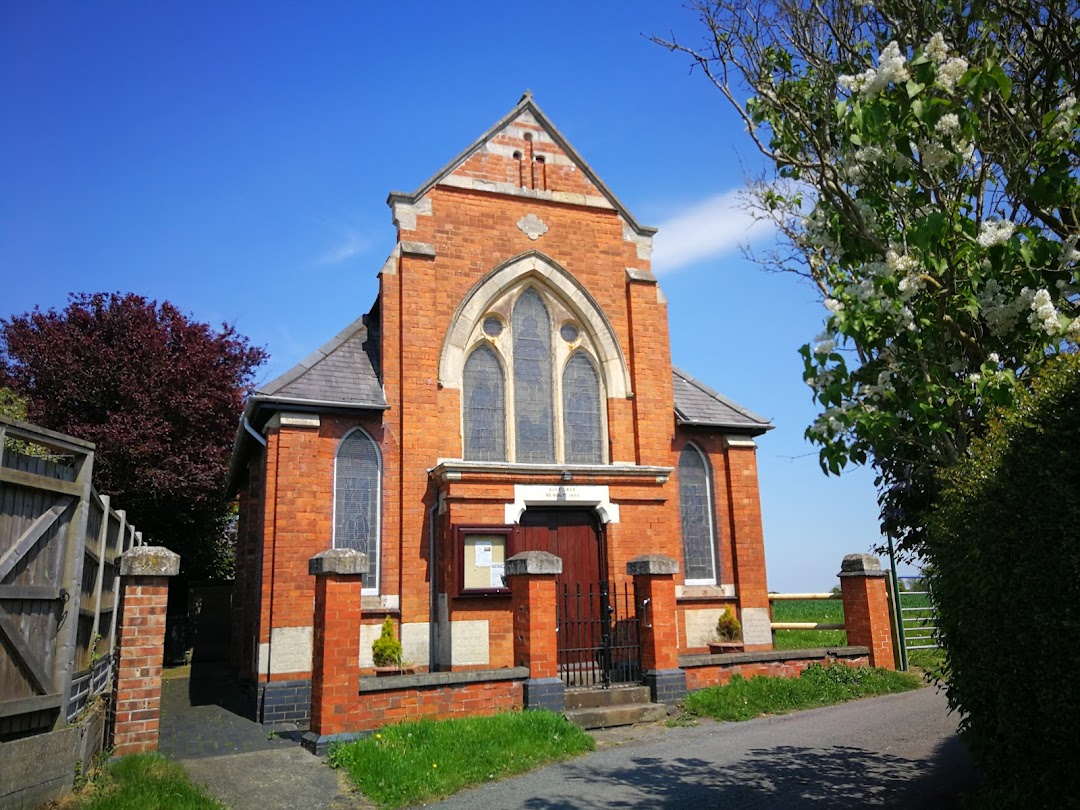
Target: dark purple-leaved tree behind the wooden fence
158,393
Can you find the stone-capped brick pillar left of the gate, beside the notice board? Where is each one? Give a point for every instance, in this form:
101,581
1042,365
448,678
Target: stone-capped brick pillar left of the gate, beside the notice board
532,576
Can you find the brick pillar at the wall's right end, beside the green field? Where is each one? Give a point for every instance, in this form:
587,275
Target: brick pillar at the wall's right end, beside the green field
867,607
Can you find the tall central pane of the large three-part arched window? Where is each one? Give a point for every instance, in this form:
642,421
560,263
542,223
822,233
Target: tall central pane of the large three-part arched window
535,440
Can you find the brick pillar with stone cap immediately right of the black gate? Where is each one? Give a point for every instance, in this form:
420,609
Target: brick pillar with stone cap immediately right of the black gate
655,591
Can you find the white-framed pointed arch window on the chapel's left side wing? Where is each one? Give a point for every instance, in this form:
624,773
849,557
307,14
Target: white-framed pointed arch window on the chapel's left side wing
358,480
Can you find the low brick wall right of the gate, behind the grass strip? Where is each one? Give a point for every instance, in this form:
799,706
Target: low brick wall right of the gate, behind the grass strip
704,671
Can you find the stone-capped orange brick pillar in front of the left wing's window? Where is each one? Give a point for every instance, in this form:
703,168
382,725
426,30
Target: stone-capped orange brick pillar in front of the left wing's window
335,666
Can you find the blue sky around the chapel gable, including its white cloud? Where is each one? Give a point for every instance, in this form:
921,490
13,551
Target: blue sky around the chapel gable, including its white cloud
235,158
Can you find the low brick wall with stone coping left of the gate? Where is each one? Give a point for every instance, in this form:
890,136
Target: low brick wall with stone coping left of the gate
438,695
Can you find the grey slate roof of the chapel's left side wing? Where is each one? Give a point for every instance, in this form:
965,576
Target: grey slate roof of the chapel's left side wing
343,372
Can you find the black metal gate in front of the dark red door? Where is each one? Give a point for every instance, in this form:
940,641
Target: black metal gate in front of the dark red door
599,632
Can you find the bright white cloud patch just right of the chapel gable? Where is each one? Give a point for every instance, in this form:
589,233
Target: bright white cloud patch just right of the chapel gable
707,231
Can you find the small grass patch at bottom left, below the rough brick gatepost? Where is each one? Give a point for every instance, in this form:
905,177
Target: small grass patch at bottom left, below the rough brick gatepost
140,782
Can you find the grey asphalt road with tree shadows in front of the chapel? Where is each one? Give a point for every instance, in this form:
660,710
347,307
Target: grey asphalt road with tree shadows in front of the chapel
897,751
